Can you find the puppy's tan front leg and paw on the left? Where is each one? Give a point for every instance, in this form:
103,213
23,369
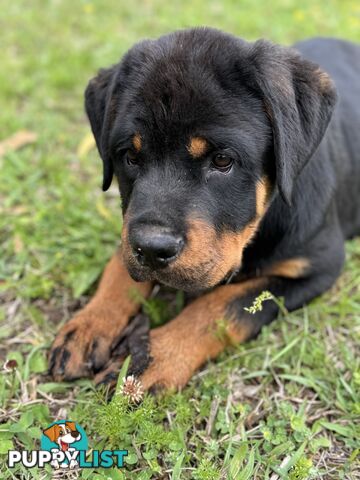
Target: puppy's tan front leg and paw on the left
84,343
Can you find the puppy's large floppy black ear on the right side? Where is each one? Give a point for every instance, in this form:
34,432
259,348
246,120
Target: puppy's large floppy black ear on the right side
299,99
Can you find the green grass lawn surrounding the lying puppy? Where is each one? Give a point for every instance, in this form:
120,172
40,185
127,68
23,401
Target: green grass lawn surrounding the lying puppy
285,406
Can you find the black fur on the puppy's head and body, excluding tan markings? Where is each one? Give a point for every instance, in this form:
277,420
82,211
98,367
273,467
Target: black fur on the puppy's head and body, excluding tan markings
266,106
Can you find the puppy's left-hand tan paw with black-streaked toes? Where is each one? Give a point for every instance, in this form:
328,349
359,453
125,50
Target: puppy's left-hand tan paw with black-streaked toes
83,345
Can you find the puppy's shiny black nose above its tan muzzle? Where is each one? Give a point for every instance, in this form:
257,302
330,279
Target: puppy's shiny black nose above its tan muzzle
155,247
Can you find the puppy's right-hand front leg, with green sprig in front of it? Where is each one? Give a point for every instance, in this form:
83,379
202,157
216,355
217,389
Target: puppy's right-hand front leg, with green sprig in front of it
206,326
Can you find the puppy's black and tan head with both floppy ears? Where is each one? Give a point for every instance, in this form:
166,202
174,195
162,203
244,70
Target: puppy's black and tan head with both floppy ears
202,130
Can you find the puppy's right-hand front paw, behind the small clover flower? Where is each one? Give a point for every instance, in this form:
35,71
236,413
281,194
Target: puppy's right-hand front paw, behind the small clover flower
164,358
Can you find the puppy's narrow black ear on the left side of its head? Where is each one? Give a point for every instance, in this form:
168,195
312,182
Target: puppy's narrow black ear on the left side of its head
98,108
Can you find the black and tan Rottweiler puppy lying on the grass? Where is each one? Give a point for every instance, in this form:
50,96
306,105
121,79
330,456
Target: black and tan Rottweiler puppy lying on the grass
239,171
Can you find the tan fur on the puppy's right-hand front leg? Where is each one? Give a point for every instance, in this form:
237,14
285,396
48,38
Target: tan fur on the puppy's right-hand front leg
200,332
